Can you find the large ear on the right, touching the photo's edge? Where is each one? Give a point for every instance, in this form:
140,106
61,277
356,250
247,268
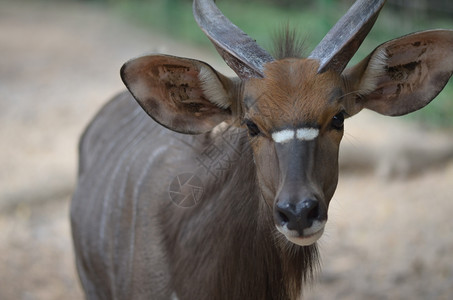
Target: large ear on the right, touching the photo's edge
402,75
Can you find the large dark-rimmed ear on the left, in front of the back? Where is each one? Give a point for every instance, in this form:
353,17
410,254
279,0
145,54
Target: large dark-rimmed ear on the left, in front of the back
184,95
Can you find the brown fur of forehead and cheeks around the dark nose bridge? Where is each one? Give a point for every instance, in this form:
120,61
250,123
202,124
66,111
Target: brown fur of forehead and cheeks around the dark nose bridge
294,95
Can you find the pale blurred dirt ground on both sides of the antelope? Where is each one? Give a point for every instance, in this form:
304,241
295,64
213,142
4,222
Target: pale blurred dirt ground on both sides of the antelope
389,235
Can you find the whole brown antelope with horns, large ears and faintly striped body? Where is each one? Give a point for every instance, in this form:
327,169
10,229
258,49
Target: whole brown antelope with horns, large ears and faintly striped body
224,191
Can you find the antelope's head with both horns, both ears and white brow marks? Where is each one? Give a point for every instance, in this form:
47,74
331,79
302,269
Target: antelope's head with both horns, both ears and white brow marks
292,107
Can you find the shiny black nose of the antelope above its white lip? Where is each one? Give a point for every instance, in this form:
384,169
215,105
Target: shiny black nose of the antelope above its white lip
298,215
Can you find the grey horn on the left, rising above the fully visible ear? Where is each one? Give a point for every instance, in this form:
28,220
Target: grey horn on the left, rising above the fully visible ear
239,51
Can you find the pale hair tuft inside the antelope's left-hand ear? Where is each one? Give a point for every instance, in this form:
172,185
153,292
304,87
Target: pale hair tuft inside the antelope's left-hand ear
212,87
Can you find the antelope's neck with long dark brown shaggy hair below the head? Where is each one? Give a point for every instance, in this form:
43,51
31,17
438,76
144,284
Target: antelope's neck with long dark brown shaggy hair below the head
233,248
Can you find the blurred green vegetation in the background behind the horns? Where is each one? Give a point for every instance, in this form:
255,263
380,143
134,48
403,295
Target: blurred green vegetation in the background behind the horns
261,19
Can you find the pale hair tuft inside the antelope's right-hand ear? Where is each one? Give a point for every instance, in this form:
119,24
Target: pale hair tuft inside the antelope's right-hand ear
375,69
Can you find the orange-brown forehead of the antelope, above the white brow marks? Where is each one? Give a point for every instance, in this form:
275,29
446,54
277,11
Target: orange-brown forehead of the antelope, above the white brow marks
292,94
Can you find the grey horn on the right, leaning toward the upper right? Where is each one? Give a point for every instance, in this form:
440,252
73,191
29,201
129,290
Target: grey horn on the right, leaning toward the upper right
342,41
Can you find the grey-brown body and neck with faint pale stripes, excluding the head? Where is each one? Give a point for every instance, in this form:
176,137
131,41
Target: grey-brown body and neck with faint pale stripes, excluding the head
145,246
